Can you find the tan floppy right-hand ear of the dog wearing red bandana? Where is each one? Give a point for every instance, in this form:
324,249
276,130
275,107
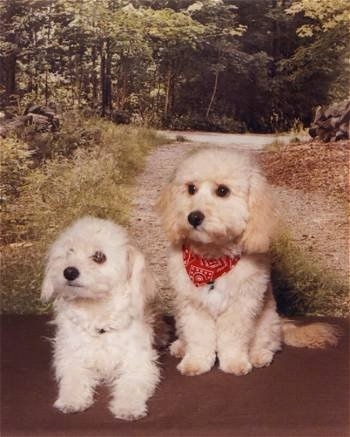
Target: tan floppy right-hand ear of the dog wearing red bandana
262,216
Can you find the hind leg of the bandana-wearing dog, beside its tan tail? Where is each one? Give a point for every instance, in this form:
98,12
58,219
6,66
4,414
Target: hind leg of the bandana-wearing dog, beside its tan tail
268,335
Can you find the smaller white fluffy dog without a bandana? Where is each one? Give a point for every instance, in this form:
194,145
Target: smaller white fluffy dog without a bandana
101,289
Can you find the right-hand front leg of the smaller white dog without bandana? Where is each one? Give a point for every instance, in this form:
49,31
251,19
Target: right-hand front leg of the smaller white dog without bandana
134,385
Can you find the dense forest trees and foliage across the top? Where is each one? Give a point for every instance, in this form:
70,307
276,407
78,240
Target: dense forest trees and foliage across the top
227,65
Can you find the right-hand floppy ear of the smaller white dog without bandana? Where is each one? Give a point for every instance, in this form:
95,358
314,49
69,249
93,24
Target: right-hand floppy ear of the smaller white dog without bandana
141,282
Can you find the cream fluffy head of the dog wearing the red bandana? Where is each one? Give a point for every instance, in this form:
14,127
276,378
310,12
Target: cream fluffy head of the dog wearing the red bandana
217,196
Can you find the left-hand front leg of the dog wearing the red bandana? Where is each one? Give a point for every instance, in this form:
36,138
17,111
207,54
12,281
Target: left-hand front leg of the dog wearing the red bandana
197,330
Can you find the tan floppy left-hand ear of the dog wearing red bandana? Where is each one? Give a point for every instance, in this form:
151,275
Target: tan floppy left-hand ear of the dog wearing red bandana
166,207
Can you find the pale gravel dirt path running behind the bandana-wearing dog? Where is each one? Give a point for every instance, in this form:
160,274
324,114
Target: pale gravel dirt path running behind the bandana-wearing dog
317,224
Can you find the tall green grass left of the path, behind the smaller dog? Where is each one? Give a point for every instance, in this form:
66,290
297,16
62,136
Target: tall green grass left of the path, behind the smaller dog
73,179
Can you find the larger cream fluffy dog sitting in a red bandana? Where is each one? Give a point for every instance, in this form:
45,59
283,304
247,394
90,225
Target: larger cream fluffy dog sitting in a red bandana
218,213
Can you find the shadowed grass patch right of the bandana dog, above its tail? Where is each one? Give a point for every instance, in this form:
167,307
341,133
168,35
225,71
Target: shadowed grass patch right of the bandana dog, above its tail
302,286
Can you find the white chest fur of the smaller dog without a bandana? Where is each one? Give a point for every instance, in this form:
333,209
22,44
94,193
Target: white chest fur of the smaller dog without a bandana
100,339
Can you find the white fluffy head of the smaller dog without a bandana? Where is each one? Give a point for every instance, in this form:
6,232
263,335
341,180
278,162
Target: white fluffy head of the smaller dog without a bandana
91,259
